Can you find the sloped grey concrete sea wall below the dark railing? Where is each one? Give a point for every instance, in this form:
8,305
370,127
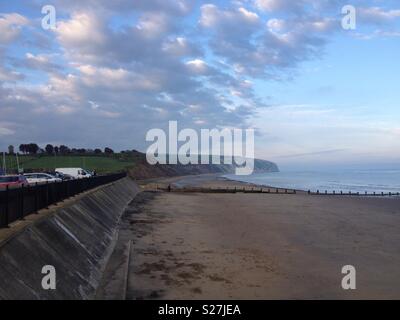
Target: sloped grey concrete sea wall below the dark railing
77,240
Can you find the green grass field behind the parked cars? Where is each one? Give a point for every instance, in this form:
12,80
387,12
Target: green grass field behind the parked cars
101,164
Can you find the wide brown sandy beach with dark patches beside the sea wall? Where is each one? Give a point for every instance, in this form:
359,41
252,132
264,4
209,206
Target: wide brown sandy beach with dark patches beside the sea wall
254,246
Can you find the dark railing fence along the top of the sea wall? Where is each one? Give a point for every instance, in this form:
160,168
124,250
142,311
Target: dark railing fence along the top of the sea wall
16,203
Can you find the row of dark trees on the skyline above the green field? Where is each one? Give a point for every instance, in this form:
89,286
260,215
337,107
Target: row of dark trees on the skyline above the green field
33,148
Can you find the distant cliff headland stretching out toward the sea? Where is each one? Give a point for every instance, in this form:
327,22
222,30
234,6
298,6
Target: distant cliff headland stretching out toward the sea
143,170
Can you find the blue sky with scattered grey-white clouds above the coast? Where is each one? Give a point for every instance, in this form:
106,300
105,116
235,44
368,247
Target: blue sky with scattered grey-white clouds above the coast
316,94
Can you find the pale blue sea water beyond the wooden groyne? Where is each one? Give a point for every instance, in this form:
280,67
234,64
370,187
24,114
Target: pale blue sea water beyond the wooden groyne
341,180
